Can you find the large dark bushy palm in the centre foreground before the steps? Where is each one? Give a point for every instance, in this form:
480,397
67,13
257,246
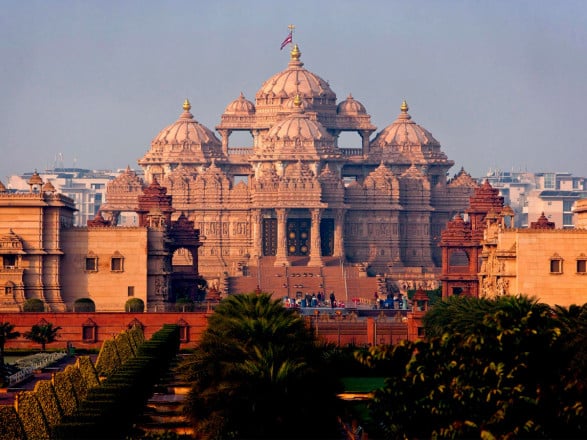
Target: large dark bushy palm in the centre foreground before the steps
259,372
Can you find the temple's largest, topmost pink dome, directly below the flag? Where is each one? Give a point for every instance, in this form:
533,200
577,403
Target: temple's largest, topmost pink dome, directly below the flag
294,81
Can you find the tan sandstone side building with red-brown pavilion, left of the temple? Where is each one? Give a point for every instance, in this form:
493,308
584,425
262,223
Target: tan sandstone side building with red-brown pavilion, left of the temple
44,256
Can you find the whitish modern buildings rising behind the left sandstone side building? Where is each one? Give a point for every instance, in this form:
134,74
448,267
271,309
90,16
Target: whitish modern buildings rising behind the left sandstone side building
87,188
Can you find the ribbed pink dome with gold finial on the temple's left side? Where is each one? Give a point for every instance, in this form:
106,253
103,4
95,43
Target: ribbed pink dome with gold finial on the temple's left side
186,130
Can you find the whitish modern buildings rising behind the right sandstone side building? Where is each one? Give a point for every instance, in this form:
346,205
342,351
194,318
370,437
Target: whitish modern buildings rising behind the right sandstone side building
531,194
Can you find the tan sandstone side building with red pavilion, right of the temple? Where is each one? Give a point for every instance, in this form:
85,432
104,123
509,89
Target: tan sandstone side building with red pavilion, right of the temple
485,256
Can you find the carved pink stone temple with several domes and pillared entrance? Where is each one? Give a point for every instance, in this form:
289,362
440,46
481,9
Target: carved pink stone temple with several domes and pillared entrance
294,196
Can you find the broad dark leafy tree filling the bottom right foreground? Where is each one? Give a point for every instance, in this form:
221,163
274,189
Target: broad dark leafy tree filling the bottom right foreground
488,369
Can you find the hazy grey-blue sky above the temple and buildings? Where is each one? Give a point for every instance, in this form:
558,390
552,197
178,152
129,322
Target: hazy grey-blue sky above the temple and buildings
500,84
